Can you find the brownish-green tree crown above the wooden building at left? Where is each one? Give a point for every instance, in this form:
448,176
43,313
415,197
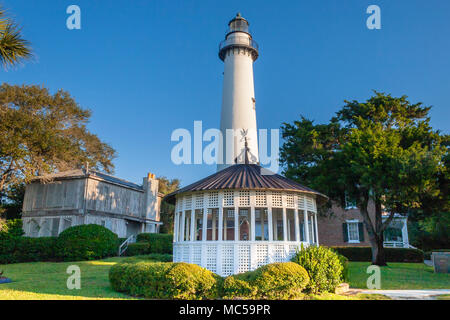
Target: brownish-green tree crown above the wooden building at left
42,133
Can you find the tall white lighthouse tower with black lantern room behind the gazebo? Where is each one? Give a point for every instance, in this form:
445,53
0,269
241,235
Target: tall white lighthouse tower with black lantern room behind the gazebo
238,51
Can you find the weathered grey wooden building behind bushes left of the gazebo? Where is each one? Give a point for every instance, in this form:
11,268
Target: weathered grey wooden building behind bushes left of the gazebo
55,202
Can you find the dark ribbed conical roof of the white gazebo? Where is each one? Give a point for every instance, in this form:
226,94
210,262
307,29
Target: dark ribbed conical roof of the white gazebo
244,176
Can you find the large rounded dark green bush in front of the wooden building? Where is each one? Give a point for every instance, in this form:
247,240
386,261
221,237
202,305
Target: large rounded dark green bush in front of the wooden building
86,242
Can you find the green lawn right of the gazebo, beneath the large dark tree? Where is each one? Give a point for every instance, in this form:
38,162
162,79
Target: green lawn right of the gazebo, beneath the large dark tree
400,276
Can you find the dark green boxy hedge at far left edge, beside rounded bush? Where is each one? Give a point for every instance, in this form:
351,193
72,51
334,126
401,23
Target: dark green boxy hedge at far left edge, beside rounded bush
23,249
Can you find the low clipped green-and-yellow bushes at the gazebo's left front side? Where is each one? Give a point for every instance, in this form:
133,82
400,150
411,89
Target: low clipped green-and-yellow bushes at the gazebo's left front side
164,280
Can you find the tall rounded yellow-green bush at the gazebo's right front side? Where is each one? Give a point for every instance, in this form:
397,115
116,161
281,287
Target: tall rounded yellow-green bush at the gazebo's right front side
323,266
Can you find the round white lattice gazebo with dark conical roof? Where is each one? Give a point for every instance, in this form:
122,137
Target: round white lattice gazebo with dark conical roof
238,219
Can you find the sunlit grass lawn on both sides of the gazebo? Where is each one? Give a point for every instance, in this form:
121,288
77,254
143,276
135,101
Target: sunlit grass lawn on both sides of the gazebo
47,280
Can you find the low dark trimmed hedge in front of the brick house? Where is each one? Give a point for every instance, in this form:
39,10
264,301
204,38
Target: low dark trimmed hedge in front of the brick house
392,254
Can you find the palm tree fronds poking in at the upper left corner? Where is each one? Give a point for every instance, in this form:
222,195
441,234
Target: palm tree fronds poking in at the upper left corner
13,48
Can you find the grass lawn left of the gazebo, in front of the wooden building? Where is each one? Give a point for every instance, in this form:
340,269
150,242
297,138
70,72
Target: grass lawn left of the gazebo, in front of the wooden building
47,280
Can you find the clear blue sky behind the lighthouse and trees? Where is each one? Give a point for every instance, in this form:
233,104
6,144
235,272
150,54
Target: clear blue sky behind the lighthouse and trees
146,68
